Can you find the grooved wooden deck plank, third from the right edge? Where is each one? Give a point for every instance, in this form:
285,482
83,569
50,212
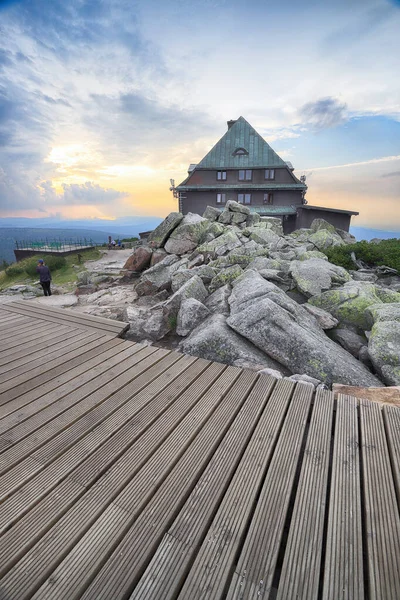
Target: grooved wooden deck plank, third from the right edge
343,573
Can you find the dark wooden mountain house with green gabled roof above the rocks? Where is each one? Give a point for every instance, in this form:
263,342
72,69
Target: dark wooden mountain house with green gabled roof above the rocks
243,167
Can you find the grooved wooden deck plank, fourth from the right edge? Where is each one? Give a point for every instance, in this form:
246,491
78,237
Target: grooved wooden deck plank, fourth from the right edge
300,574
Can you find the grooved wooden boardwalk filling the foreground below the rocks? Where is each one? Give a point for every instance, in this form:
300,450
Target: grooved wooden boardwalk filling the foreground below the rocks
129,471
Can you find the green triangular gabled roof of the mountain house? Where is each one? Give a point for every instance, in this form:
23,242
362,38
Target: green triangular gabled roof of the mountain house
241,135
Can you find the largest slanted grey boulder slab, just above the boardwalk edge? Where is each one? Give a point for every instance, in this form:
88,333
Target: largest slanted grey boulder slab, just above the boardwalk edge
264,315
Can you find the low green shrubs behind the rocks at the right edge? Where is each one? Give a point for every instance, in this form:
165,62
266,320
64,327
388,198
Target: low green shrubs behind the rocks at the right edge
386,252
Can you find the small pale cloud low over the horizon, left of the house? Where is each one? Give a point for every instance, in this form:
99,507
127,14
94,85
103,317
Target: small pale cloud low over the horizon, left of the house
80,194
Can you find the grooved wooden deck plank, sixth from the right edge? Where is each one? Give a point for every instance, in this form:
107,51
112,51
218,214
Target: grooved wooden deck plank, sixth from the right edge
216,558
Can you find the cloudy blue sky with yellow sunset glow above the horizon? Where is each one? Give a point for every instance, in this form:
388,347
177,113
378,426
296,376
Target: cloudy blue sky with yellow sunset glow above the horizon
102,102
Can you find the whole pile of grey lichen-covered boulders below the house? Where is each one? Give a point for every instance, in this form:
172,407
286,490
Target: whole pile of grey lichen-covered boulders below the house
238,290
